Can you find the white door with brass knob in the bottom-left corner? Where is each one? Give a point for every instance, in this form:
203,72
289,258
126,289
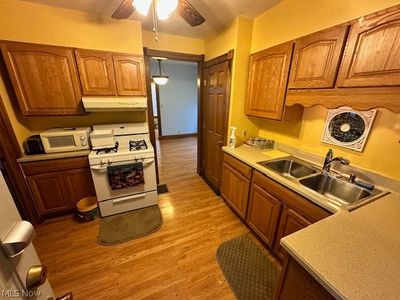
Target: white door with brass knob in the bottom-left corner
13,271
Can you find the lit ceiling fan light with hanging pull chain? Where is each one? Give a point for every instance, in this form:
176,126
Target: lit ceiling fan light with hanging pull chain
161,10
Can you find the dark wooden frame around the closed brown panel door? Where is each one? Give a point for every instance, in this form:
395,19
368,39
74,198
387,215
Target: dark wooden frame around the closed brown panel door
228,56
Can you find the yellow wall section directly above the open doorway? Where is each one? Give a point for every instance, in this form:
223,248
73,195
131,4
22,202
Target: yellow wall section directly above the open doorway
173,43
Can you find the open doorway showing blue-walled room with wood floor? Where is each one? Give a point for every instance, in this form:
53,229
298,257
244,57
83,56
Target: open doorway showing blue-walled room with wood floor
174,112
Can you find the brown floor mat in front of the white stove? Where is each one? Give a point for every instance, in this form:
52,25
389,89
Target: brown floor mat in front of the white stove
129,225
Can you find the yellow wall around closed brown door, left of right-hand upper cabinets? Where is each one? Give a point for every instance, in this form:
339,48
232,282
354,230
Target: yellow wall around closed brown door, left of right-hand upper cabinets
236,36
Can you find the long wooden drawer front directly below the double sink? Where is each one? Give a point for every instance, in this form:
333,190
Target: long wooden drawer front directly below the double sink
312,211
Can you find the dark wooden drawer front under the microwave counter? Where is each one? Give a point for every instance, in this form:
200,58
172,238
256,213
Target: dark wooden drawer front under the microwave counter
54,165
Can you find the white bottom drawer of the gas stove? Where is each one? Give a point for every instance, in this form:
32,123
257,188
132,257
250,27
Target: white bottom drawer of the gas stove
116,206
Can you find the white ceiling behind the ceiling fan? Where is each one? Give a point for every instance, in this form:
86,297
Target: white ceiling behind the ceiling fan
218,13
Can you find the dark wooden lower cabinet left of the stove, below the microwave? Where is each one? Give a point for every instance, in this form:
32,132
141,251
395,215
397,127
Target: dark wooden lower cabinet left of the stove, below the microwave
57,185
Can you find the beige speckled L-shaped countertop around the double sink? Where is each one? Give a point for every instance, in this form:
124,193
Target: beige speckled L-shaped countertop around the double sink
354,255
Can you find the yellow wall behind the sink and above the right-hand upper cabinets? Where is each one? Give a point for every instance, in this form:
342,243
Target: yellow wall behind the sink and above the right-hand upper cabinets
290,19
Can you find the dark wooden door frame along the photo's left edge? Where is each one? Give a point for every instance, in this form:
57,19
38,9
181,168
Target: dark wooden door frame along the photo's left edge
11,151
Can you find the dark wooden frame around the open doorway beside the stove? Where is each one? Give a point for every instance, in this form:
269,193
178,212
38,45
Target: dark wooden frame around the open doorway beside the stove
199,59
